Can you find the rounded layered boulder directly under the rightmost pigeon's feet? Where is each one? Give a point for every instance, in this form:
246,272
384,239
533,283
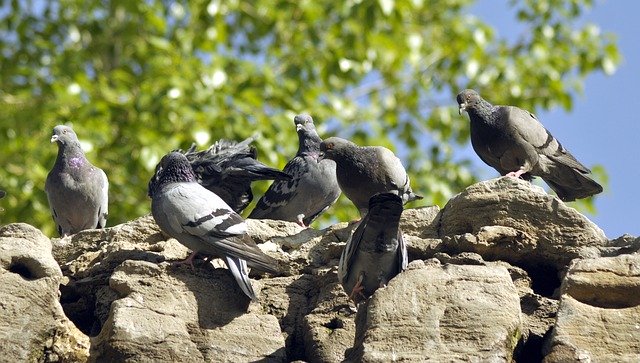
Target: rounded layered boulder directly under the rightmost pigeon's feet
515,221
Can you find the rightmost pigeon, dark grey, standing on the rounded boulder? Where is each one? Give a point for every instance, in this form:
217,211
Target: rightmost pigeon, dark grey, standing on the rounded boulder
516,144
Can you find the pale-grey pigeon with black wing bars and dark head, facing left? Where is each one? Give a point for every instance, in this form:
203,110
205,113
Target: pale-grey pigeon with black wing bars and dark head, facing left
202,221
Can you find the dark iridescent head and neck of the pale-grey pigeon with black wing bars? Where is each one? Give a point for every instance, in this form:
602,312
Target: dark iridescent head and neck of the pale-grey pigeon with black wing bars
172,168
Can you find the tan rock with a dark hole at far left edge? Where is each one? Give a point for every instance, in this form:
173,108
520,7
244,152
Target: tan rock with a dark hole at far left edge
33,326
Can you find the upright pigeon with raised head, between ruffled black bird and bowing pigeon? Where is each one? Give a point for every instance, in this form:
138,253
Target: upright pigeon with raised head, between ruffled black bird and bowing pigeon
313,187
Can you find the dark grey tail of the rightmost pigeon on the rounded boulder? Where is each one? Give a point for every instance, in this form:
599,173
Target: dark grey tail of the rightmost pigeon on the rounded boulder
571,184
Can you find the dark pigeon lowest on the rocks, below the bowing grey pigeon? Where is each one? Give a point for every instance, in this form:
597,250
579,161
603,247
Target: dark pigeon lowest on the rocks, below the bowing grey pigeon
376,251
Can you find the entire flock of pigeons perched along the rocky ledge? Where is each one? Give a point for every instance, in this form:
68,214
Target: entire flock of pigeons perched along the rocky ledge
196,196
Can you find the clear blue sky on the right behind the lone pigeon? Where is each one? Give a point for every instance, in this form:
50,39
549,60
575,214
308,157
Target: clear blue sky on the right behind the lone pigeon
603,127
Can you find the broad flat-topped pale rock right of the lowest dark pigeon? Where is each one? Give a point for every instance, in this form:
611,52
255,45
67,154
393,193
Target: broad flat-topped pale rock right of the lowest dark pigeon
443,313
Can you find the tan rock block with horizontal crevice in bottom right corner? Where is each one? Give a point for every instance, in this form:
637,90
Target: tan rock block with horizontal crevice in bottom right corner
599,313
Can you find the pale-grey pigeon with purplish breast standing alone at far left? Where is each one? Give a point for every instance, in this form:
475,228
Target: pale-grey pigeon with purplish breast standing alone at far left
78,192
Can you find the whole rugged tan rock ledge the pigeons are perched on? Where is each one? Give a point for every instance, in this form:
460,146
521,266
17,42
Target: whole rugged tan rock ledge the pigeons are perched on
505,272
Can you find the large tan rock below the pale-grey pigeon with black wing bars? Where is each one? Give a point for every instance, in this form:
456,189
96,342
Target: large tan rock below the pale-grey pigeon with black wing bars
197,316
